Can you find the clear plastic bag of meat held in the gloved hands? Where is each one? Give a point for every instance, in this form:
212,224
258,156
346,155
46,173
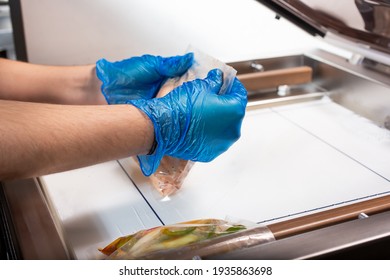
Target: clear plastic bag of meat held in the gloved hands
171,173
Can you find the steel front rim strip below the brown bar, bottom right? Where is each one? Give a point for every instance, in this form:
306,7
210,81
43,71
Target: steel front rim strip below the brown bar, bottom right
321,242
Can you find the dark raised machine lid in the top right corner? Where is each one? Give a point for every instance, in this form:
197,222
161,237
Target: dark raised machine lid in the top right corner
363,21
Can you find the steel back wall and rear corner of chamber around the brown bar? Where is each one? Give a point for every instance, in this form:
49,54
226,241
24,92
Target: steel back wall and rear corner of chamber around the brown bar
363,91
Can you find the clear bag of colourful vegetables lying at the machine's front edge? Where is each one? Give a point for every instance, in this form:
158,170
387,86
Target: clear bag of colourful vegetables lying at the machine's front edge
185,240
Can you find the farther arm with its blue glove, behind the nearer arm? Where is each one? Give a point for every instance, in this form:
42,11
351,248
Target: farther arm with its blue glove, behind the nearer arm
132,78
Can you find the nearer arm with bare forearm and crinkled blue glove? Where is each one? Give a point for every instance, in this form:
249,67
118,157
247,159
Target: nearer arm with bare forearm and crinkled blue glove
193,123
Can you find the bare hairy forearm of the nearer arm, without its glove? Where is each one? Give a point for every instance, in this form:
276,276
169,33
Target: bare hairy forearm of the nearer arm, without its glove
38,139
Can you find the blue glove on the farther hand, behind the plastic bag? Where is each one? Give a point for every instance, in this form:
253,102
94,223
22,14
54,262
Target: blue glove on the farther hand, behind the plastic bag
138,77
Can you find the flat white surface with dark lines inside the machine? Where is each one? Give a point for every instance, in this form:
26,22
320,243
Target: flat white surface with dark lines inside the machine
290,161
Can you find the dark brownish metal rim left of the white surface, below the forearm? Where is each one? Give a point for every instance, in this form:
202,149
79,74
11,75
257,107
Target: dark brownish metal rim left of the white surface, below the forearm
35,227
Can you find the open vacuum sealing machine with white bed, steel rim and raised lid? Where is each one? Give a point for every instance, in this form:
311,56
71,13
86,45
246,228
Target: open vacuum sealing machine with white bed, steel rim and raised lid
311,166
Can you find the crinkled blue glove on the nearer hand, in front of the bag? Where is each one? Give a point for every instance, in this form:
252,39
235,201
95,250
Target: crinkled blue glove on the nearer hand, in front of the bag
193,122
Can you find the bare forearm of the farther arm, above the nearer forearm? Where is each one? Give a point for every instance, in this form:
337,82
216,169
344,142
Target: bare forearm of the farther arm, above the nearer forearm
52,84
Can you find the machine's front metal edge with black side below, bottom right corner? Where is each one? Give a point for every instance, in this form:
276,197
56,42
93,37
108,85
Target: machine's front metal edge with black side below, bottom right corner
364,238
